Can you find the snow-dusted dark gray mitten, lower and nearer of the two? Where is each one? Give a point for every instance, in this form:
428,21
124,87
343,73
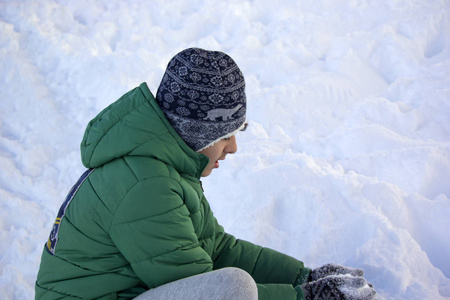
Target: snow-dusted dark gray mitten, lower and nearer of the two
339,287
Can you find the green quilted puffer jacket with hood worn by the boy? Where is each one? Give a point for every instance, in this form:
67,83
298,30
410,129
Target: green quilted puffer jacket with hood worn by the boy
138,218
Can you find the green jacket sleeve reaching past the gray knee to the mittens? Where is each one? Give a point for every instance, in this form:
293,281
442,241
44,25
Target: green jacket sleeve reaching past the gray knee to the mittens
275,273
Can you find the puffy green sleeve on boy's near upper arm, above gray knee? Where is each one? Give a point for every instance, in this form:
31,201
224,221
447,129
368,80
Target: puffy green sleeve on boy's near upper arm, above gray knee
153,231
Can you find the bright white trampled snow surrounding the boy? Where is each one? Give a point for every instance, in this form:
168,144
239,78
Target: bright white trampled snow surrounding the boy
347,156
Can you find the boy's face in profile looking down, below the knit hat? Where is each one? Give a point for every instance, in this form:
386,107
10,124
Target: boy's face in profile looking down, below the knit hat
217,152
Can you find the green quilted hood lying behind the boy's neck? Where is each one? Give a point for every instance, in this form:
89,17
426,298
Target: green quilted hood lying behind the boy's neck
135,125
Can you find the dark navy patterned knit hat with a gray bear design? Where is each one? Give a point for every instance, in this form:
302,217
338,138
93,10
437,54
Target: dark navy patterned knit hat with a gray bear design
202,94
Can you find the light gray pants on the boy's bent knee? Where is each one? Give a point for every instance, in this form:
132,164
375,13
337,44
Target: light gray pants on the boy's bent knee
226,283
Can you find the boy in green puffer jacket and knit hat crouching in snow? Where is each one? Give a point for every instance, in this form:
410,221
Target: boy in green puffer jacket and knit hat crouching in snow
137,224
